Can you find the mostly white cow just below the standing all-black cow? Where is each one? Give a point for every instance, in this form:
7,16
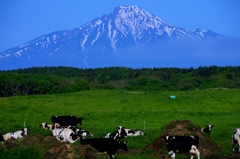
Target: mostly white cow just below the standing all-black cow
65,134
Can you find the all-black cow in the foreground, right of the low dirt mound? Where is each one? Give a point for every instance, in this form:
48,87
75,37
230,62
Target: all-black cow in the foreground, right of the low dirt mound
108,145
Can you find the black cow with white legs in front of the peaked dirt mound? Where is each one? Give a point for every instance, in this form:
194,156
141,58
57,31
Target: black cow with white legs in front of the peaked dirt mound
182,144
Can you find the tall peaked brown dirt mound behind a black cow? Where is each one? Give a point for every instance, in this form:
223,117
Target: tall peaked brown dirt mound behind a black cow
184,128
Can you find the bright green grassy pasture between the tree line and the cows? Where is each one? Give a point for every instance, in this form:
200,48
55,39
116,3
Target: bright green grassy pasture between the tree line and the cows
104,110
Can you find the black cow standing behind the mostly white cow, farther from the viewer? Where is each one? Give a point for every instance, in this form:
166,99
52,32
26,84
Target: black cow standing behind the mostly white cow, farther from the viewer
66,120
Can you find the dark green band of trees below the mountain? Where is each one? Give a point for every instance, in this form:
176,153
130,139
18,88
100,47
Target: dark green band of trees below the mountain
49,80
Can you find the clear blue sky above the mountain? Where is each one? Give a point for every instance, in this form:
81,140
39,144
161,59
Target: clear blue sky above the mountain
23,20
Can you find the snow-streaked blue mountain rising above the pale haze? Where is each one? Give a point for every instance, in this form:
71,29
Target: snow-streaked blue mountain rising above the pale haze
125,26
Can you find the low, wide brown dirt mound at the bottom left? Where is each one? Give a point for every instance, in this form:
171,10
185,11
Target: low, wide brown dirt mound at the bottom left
53,148
